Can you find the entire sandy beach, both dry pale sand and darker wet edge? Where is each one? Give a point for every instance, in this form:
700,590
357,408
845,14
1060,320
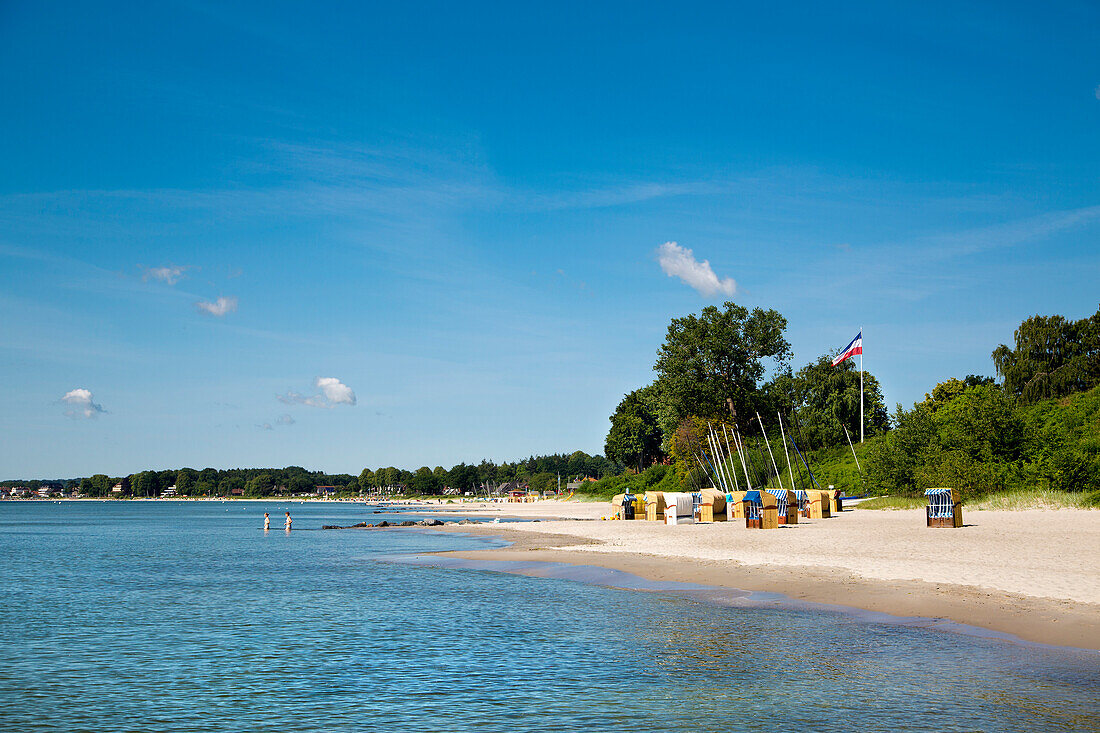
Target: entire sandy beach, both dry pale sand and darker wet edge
1030,574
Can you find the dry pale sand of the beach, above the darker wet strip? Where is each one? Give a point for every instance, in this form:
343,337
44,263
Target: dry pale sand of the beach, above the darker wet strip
1043,554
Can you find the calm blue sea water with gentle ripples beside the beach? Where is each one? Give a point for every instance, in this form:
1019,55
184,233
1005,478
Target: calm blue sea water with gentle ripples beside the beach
186,617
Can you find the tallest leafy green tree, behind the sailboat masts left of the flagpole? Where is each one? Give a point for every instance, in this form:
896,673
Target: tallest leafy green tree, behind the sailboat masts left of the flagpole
718,356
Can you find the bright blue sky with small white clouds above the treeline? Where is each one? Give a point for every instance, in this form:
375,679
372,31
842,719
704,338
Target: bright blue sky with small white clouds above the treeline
344,236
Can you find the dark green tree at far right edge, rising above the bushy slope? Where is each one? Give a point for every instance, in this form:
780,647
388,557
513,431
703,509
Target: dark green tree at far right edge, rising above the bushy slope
1052,357
